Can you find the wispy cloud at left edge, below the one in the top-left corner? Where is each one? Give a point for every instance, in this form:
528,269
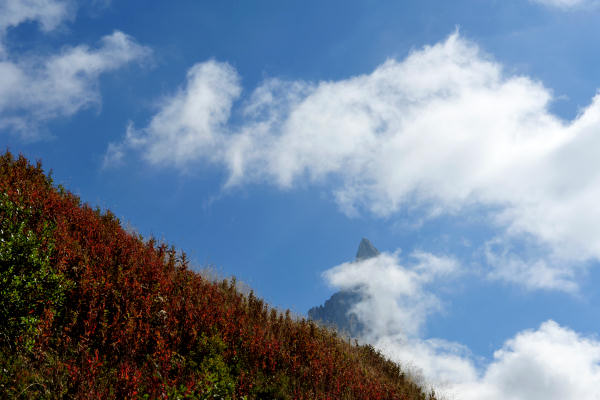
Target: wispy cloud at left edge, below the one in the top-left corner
33,90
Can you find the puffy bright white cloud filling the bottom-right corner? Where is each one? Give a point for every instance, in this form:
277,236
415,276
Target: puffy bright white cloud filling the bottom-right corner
550,363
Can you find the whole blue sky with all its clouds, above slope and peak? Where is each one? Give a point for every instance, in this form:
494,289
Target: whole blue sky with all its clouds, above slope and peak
268,138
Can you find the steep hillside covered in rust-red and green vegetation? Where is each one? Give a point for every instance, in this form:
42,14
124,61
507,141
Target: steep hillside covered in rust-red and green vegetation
88,310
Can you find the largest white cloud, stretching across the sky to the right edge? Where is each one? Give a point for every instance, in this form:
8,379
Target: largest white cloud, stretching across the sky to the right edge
443,130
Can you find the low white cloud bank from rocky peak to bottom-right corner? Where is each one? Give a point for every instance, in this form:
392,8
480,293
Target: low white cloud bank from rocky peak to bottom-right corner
551,362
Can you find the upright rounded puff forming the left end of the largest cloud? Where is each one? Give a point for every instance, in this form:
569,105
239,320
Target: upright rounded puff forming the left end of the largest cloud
190,124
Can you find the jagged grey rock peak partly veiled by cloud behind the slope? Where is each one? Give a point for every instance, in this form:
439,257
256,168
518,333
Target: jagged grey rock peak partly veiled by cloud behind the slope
336,311
